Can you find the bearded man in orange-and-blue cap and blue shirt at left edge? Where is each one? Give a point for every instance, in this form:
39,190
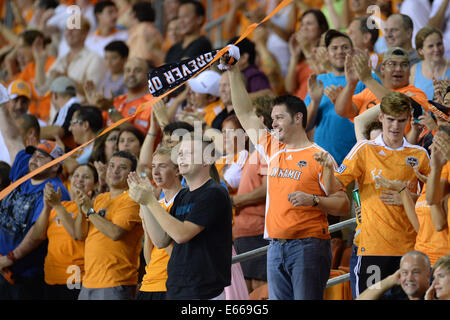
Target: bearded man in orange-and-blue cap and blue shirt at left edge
20,209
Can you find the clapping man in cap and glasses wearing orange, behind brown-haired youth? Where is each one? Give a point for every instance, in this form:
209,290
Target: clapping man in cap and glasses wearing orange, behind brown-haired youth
395,70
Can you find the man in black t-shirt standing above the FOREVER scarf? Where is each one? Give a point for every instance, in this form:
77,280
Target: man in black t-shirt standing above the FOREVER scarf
191,16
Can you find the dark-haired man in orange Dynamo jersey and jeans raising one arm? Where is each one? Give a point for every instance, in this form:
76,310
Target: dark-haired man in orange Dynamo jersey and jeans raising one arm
298,200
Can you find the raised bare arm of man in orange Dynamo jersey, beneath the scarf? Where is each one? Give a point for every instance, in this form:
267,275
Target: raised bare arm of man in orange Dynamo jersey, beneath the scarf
243,106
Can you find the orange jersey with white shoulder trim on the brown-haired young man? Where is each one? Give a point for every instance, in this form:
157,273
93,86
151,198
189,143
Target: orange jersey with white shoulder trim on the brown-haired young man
385,230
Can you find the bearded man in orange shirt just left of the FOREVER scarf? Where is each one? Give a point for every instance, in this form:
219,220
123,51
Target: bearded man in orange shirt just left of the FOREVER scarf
135,80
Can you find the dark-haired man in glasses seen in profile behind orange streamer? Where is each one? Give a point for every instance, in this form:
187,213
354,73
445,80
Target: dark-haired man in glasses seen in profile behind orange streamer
85,124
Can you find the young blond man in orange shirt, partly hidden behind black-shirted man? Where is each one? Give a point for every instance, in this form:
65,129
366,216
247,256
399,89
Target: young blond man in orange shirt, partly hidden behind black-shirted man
166,176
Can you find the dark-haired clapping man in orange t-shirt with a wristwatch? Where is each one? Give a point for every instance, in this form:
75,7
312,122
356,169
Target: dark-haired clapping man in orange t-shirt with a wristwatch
113,235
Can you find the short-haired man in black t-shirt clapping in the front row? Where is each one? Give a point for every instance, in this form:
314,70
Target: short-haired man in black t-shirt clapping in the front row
199,223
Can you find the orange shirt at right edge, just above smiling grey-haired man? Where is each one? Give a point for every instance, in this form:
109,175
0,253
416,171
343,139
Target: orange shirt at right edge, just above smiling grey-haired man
431,242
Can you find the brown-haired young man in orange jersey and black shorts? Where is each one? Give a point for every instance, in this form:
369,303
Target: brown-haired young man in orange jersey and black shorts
386,233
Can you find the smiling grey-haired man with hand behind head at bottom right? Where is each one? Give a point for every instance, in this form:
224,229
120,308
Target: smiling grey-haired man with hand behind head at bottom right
409,282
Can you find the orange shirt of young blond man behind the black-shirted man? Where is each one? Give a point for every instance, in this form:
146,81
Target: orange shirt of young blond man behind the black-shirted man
155,276
